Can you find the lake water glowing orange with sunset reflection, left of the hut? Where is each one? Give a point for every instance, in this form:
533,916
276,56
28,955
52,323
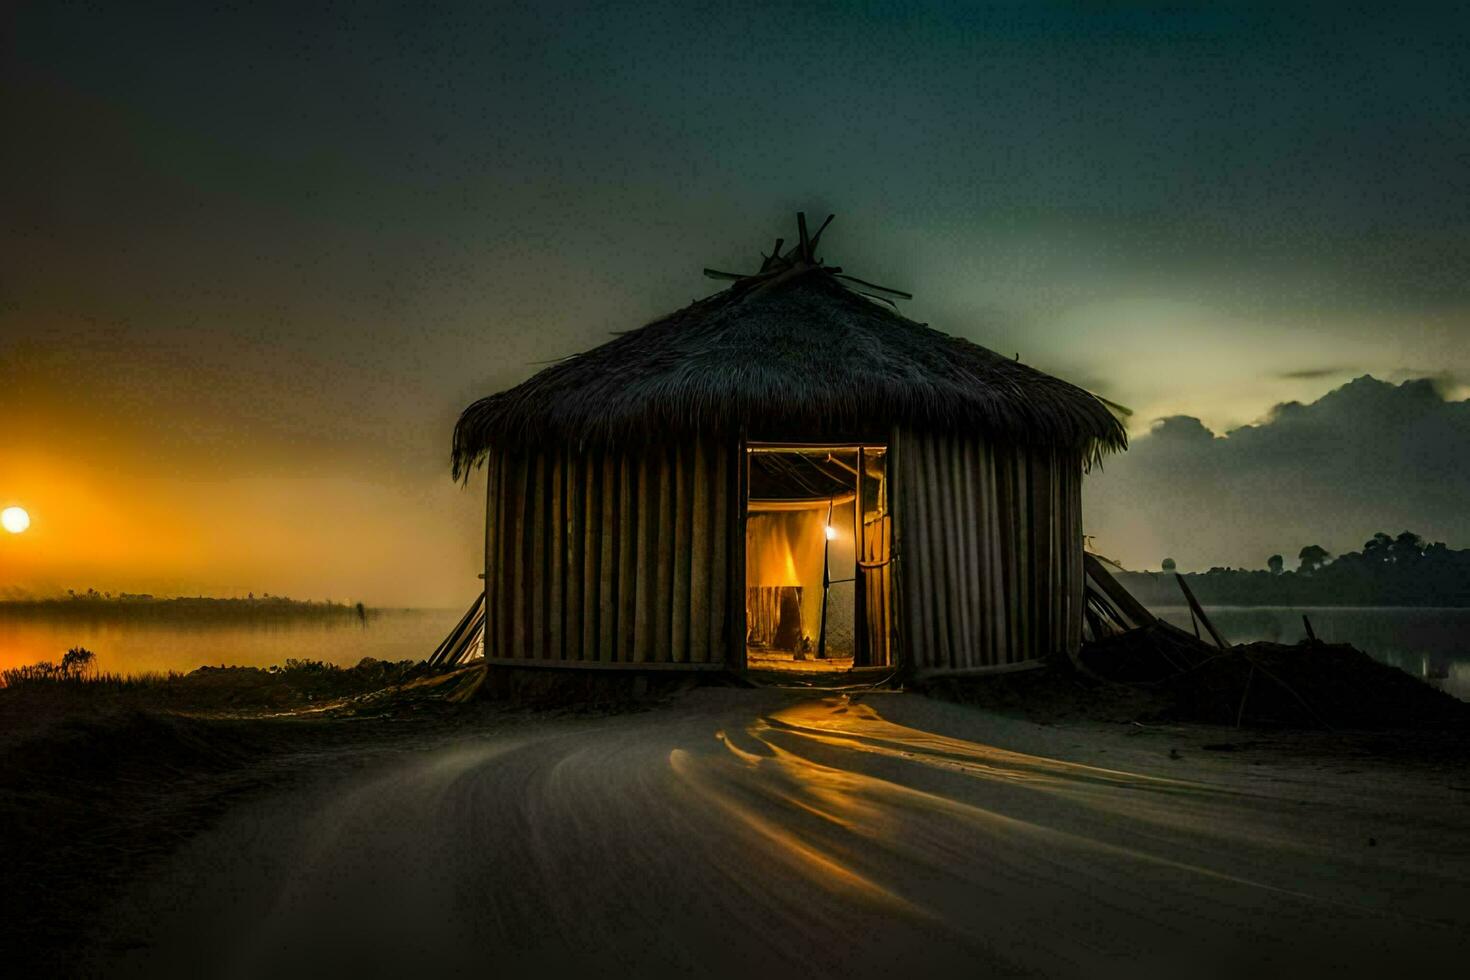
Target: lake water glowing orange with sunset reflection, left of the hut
136,646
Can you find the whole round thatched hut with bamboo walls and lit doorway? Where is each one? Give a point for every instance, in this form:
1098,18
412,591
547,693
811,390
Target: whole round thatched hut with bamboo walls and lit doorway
787,471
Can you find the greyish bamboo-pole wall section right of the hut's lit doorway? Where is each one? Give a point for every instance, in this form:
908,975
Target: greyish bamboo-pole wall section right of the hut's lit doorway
990,543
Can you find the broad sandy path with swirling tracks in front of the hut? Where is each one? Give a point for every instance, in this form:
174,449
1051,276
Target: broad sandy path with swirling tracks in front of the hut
746,832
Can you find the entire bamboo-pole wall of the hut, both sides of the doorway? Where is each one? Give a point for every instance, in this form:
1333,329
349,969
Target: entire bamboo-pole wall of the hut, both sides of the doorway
609,559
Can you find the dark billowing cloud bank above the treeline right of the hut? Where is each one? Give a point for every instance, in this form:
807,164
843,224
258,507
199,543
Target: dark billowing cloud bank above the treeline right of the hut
1368,456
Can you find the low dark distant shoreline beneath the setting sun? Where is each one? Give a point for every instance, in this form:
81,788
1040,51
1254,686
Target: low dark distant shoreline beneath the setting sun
93,605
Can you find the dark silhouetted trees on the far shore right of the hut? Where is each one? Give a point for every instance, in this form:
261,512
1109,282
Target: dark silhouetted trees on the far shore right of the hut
1390,571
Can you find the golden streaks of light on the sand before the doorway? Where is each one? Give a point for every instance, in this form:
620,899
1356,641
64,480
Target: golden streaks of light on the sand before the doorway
865,807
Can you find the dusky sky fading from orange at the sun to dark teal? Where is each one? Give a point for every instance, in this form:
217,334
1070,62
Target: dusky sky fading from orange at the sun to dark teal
257,258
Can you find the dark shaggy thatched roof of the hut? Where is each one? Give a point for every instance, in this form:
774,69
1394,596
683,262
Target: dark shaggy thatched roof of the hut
793,352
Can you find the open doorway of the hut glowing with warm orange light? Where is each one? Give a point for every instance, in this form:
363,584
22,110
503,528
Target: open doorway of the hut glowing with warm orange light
818,544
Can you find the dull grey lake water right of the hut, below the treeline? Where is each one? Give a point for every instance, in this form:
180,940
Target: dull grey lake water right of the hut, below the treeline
1427,643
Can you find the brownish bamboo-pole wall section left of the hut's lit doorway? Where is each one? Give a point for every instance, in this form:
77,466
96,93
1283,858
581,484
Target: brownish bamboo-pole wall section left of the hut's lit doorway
614,559
